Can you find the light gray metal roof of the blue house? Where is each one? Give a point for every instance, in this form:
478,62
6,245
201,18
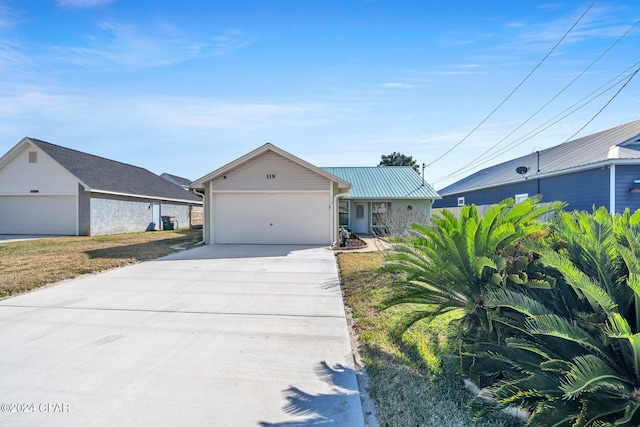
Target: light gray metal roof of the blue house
617,145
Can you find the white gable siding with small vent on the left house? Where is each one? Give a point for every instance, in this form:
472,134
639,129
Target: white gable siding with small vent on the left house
20,177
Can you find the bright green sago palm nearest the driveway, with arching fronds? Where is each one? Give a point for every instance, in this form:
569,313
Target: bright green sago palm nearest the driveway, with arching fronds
451,265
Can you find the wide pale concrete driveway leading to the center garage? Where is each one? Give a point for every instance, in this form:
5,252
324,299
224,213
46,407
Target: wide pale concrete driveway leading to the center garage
220,335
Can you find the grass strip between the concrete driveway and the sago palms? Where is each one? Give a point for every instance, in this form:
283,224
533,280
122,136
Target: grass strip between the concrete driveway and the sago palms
408,382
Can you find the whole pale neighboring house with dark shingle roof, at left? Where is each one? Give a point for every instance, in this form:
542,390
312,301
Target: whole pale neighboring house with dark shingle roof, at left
48,189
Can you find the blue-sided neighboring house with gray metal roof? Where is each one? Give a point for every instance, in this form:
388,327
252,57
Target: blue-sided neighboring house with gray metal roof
602,169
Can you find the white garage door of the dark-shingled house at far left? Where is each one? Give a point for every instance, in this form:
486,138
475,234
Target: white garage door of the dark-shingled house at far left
38,215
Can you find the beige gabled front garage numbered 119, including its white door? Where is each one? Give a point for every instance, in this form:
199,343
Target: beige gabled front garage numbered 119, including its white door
270,197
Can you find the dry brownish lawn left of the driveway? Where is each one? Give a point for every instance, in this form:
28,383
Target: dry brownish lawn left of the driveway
30,264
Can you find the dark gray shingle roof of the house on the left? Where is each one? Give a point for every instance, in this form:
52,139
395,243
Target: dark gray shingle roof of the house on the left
109,176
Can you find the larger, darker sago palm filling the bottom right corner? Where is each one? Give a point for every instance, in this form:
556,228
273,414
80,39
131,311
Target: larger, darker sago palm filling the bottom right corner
575,359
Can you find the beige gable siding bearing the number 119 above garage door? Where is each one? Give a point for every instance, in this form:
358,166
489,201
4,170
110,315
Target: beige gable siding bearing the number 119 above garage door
270,172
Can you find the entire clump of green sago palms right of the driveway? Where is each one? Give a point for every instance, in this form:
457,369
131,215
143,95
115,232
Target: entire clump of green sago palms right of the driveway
549,314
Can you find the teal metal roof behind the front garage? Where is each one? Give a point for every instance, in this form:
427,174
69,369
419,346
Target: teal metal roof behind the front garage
384,182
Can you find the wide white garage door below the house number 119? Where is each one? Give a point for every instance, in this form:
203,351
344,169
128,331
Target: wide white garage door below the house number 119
279,218
